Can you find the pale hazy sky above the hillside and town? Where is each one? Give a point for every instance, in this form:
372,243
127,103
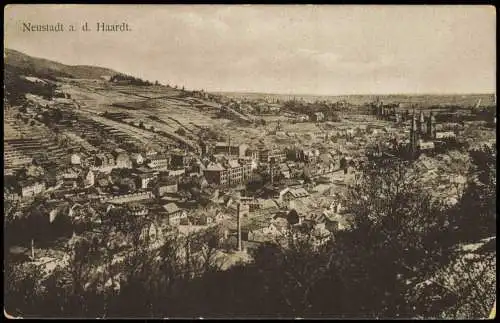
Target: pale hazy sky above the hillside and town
282,49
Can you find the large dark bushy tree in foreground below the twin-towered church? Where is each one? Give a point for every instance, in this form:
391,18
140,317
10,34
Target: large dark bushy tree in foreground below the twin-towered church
396,225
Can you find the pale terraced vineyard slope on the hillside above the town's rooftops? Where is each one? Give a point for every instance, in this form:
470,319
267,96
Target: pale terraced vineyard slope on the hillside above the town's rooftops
161,113
